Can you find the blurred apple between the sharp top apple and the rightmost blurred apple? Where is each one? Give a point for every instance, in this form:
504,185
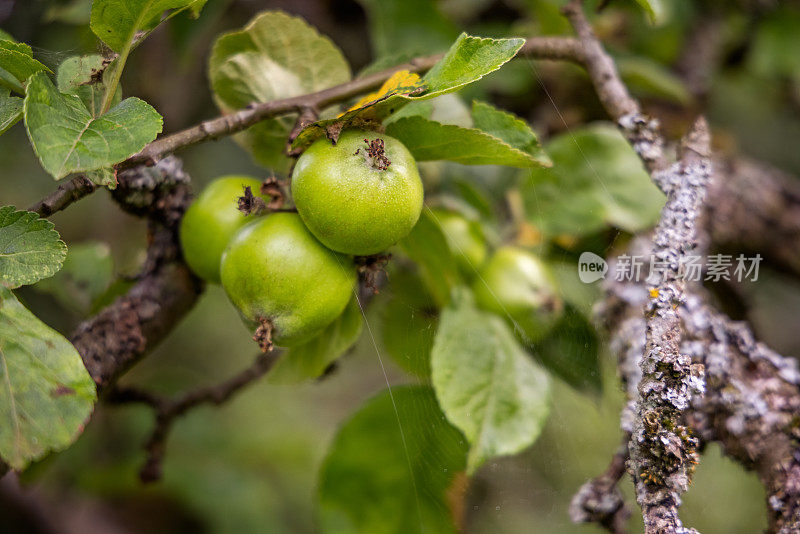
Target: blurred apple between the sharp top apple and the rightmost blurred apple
465,239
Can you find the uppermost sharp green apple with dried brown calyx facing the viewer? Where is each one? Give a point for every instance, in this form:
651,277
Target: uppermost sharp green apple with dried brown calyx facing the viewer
359,196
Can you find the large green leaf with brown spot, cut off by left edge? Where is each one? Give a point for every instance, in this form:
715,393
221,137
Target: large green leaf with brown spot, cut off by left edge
46,395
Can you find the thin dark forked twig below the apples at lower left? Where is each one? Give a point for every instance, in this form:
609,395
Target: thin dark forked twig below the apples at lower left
167,410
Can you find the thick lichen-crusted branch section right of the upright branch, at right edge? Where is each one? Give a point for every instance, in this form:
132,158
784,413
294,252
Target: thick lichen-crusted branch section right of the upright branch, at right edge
751,407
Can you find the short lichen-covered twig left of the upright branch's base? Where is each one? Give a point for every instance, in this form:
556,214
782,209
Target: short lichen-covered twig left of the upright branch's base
600,501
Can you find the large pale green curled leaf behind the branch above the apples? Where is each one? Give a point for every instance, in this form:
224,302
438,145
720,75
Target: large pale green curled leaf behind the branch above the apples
275,56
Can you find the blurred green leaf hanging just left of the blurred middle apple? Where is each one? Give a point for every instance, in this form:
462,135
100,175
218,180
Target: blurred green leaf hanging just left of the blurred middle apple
427,246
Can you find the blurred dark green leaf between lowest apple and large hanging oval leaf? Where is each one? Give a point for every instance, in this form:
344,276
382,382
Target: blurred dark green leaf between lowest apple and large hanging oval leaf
407,335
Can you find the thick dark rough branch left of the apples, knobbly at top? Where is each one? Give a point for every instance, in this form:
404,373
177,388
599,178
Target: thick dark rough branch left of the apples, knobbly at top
114,339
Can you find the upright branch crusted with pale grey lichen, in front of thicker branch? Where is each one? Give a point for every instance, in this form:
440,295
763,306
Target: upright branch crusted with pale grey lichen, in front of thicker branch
662,450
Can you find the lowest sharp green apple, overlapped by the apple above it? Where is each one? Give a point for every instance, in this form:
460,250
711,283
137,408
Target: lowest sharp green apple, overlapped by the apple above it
274,270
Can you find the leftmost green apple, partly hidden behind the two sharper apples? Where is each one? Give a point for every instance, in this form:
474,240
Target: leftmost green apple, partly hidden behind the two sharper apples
211,220
